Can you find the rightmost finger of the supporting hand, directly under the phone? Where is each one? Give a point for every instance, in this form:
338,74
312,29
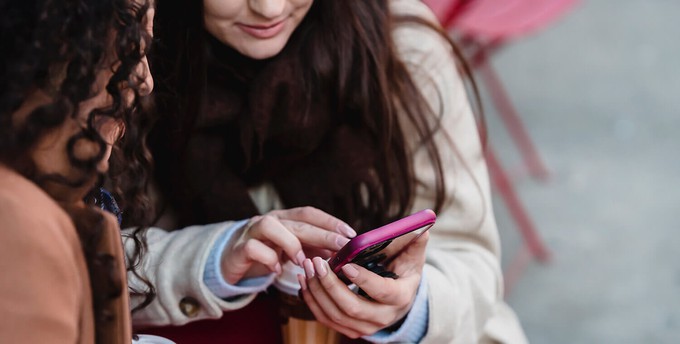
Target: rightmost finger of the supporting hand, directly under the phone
397,292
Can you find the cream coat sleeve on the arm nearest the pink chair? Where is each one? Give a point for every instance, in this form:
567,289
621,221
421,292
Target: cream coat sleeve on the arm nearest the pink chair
465,281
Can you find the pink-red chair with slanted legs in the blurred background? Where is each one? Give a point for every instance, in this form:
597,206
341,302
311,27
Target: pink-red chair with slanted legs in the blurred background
482,26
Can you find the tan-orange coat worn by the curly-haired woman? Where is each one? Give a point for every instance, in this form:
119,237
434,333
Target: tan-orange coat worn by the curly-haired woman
45,294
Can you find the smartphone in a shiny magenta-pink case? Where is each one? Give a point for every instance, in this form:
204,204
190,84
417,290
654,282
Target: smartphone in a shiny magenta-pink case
376,248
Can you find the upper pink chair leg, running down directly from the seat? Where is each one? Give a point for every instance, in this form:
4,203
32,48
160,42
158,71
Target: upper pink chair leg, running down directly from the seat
510,116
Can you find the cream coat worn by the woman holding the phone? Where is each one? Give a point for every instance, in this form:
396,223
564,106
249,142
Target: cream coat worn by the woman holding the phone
463,271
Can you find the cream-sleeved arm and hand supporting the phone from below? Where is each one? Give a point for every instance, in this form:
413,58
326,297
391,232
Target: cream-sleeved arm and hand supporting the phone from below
464,280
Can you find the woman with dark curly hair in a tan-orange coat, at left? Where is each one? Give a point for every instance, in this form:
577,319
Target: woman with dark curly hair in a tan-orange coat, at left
74,75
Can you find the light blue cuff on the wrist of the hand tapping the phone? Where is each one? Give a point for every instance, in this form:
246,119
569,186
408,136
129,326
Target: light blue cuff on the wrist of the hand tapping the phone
212,273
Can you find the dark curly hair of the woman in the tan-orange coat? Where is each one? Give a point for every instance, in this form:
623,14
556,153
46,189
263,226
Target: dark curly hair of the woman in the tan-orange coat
59,48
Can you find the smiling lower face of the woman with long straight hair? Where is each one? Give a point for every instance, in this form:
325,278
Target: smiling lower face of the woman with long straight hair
258,29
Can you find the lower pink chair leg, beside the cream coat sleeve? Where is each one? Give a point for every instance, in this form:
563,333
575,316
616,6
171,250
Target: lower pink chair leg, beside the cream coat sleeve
525,225
